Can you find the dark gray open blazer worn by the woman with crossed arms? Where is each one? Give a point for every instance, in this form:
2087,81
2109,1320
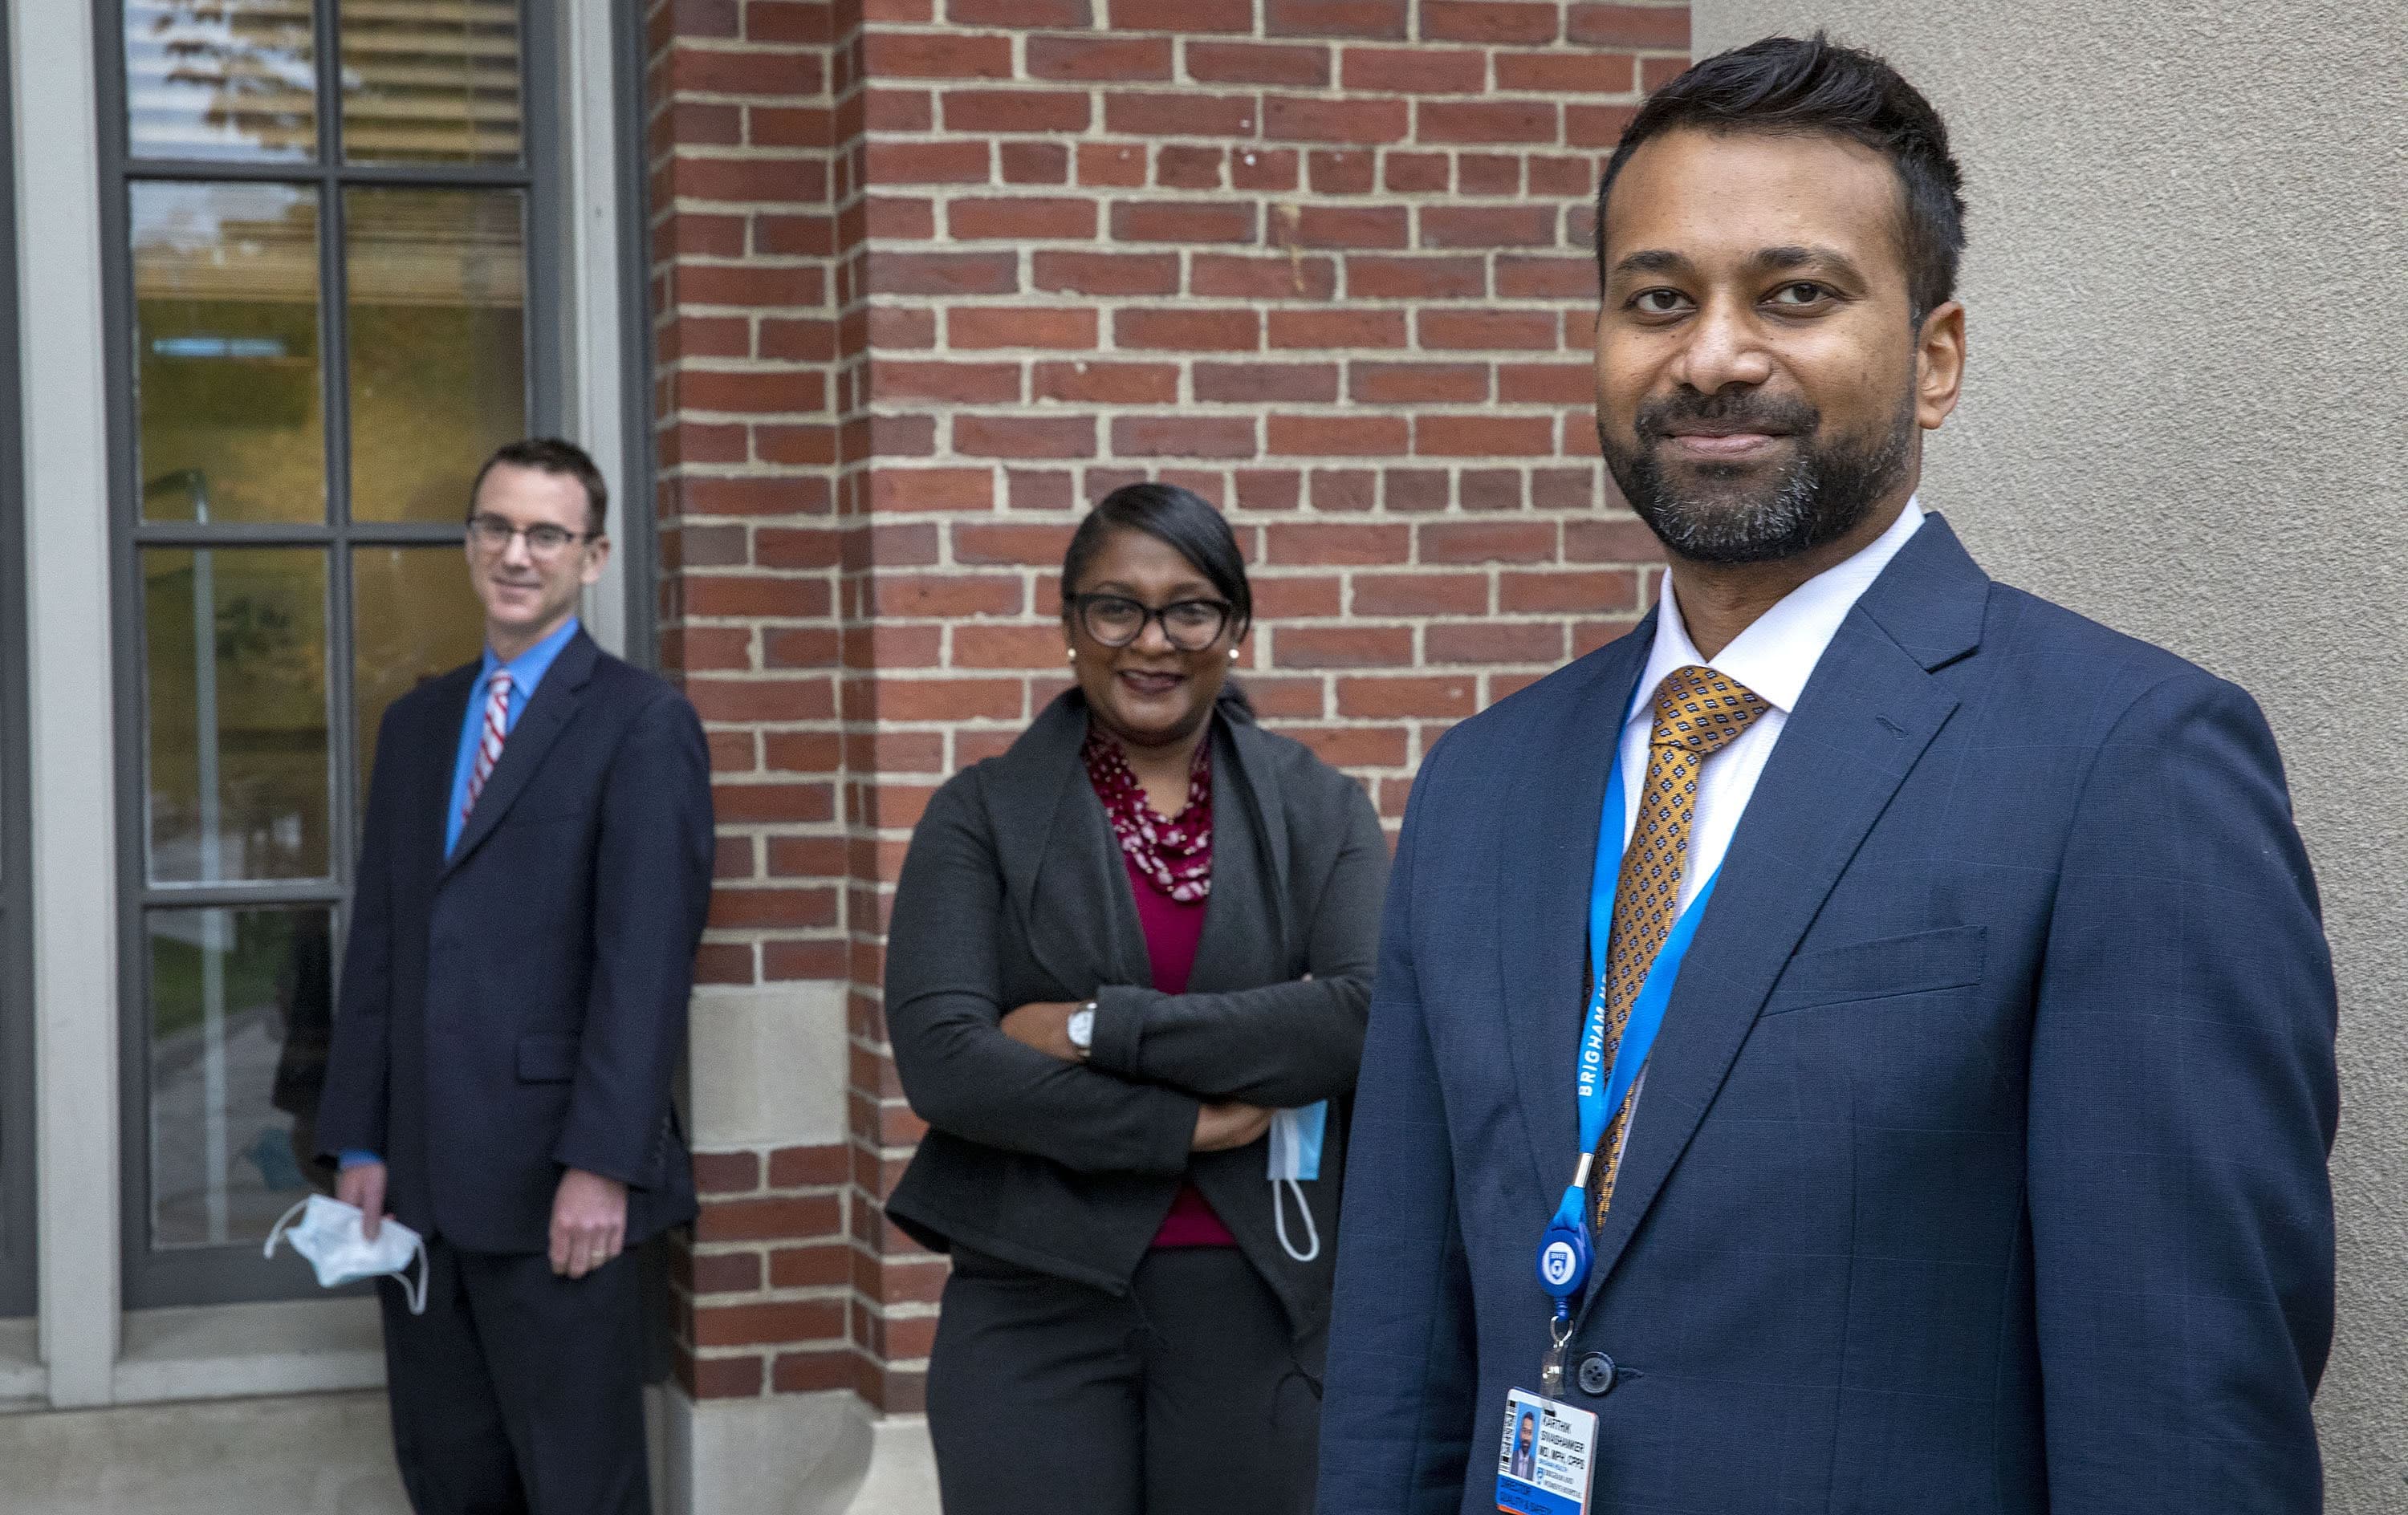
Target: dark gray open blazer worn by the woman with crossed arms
1015,892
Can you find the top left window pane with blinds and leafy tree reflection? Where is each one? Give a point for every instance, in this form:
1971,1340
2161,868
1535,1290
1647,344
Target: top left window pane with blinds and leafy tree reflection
220,81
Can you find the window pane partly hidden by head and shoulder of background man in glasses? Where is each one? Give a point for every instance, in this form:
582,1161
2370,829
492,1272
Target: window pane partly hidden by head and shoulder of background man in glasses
415,620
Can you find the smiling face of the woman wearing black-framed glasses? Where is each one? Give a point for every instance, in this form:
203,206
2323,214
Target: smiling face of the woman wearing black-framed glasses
1150,692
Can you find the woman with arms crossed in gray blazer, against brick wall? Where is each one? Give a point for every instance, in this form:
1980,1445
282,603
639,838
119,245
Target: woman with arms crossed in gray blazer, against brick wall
1128,962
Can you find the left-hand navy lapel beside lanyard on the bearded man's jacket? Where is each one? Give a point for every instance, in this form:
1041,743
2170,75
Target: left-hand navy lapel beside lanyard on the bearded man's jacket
1545,861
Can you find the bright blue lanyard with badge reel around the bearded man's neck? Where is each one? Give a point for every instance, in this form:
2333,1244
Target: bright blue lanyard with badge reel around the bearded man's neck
1564,1251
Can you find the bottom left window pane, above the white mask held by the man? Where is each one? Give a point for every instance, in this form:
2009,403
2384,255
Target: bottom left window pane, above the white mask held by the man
242,1013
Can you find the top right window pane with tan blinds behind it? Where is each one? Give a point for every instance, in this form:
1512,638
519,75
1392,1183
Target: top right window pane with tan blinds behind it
430,81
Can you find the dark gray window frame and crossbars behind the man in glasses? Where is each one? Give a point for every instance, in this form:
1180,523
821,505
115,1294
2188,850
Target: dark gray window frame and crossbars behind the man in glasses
237,1273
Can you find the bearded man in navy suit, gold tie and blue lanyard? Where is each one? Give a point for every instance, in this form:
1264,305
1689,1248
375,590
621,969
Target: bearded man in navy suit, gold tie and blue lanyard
1976,1148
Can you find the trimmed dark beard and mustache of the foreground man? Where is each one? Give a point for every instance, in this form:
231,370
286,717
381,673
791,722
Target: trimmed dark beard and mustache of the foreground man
1735,514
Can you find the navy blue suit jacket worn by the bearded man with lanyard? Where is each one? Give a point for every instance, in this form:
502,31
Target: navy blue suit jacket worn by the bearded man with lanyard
1983,1155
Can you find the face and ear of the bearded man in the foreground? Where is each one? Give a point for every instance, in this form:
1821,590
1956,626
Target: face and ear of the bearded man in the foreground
1761,384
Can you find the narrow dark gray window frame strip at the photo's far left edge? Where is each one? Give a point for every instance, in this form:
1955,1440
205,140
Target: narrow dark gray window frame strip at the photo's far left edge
18,1220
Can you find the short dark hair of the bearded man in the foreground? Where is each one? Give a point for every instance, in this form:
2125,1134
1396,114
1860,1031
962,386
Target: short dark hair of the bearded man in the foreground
1795,88
